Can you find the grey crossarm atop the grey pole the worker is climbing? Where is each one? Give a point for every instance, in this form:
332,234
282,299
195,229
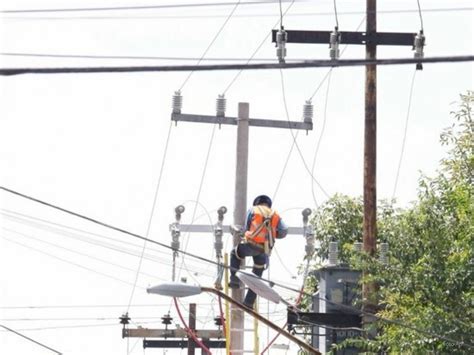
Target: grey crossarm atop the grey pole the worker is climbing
307,126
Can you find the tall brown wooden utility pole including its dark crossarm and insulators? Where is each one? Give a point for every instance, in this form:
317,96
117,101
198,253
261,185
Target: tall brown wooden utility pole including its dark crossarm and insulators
370,39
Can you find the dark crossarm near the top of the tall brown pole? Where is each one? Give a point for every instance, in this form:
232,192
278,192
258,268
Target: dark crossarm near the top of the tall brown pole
348,37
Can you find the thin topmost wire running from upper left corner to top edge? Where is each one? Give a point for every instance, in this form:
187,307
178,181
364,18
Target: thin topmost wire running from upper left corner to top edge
128,8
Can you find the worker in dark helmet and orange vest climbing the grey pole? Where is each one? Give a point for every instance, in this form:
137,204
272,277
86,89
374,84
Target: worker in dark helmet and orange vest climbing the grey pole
262,226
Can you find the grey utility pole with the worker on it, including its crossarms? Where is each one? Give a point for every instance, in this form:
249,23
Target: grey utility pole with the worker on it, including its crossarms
243,123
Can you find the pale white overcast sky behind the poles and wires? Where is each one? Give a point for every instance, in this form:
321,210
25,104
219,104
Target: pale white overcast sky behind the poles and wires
97,144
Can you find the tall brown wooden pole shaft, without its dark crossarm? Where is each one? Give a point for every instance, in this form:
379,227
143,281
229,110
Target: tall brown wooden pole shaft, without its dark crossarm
369,289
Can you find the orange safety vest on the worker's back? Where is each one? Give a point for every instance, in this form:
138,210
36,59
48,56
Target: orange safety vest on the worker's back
263,227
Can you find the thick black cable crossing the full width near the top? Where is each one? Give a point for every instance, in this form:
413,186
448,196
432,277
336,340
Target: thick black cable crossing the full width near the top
240,67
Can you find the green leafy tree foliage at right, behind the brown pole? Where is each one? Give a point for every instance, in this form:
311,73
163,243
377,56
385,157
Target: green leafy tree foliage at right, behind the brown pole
428,283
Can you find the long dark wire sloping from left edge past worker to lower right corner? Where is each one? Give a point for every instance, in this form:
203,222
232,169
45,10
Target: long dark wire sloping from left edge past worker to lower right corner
340,306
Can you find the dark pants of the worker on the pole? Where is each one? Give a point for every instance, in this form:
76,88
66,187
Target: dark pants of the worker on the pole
239,253
